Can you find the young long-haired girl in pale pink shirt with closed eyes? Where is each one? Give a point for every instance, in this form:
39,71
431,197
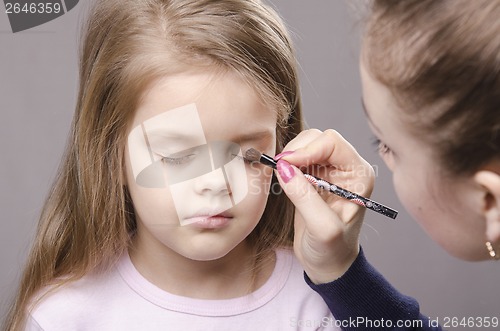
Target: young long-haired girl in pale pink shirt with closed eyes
171,94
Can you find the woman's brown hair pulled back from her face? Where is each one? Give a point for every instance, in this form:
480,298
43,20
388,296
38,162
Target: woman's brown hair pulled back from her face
441,61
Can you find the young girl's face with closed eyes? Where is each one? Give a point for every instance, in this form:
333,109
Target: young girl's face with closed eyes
192,192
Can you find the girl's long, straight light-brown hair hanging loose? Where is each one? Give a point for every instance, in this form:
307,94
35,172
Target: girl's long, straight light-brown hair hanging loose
88,219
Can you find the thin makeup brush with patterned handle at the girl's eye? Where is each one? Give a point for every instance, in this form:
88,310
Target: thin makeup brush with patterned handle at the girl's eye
255,156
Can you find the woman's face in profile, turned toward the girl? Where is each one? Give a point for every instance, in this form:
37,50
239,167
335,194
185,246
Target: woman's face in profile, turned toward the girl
447,209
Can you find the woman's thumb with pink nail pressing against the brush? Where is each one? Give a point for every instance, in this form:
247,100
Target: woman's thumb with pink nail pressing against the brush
304,196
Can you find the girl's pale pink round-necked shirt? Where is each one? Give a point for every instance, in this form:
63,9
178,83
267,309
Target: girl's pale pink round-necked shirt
123,299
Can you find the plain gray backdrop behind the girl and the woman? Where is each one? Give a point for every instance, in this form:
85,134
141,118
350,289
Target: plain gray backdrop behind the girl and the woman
38,83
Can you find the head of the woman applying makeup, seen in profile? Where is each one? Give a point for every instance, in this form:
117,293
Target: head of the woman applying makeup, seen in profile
431,84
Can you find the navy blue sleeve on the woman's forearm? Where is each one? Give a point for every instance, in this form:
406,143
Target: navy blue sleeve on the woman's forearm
362,299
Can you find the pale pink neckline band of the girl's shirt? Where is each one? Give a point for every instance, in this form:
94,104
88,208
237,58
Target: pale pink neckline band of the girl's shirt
202,307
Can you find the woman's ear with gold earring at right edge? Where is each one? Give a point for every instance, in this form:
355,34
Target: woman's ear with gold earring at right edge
489,180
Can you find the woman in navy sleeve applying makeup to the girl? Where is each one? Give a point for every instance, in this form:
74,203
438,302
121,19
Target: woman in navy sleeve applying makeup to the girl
431,89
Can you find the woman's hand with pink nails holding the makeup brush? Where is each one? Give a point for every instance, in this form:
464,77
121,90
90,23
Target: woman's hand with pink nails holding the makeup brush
326,226
